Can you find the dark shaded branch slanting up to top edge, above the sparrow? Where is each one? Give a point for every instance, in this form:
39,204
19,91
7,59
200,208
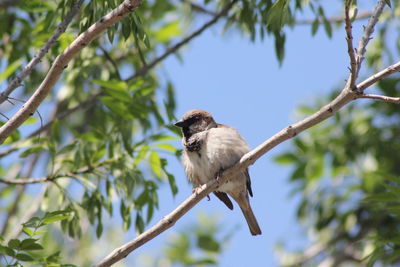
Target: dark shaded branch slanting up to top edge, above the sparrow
174,48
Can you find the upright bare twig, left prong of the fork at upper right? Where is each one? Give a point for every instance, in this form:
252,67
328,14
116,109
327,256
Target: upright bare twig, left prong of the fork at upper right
350,49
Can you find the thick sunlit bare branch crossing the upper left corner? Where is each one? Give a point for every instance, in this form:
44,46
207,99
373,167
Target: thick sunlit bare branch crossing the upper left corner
61,62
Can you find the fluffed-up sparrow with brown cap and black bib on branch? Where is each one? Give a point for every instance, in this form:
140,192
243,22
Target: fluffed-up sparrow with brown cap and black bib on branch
209,148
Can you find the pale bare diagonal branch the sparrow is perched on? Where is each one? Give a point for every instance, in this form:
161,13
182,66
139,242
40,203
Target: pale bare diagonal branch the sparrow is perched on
345,97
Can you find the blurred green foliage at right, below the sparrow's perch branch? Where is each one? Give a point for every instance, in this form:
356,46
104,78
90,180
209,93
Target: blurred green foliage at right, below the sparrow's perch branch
346,172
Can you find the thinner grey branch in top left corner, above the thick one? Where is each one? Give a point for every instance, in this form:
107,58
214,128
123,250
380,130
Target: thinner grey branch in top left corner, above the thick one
62,26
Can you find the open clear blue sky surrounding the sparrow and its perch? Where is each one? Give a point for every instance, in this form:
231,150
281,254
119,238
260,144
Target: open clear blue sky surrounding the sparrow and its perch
242,85
